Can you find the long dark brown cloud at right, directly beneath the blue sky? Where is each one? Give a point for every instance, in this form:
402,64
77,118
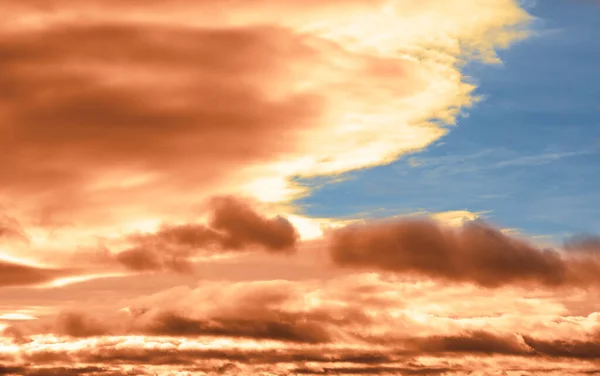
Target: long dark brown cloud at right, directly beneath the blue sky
475,253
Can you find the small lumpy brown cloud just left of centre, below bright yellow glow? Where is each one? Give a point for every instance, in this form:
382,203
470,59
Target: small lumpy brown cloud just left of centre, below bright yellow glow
233,226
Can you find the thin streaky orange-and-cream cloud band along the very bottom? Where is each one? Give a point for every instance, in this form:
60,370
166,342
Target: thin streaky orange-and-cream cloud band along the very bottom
120,351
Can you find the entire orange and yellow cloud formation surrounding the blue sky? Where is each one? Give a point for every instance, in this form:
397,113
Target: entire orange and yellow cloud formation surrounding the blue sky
116,116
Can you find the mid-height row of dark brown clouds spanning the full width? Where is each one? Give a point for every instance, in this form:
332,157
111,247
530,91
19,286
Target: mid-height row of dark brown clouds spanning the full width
474,252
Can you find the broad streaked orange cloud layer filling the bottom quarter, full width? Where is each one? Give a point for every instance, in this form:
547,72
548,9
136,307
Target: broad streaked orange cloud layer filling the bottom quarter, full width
353,325
